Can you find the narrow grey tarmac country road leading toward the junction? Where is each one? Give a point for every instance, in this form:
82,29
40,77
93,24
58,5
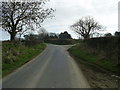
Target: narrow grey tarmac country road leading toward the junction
54,68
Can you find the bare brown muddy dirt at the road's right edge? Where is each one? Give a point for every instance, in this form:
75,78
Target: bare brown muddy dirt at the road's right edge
98,78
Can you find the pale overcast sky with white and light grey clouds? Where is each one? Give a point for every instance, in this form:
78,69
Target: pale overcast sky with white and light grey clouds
69,11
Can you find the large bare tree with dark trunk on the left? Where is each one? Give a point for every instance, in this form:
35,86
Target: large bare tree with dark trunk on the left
17,16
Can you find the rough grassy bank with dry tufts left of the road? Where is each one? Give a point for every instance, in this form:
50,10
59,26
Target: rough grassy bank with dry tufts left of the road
15,55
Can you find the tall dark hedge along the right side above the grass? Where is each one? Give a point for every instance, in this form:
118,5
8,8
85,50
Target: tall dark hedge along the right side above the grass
107,46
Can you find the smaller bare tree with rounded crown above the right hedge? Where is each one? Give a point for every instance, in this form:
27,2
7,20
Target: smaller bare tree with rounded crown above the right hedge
86,27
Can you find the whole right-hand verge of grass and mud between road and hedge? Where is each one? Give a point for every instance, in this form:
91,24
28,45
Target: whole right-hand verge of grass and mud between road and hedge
97,76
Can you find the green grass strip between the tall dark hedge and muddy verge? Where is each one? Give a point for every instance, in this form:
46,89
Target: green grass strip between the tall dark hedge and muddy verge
81,54
